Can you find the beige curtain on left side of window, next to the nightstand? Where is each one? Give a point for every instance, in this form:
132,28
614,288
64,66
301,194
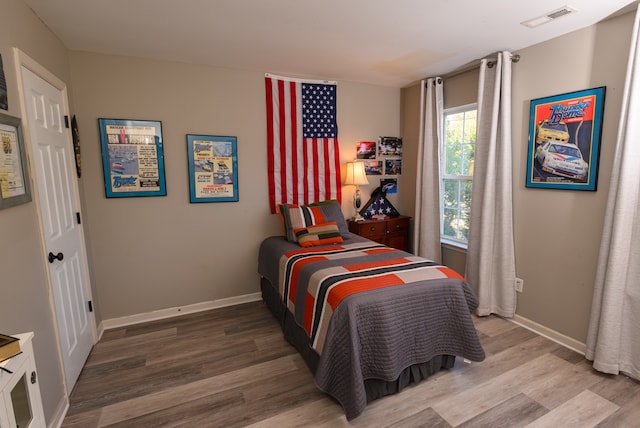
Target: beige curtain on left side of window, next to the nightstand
426,230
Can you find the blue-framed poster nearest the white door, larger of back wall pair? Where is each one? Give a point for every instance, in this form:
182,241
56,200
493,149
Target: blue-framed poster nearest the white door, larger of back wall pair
132,158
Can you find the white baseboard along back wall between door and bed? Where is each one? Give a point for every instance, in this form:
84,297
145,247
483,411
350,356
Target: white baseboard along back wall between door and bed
178,310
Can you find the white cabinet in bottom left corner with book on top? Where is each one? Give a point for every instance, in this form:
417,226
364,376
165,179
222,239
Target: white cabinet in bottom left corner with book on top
20,402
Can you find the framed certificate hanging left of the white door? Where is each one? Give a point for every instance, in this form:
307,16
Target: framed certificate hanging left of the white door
14,178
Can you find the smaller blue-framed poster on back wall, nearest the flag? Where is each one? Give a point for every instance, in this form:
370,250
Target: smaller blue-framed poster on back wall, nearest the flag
213,168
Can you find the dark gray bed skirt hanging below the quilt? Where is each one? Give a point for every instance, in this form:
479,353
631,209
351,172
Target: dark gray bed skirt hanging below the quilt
375,388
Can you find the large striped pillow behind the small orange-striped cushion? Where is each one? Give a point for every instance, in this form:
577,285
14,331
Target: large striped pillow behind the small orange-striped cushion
295,217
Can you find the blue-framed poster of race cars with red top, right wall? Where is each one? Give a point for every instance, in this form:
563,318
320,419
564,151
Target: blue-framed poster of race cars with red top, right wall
564,140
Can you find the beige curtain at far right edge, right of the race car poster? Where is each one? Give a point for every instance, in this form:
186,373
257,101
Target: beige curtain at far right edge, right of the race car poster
613,340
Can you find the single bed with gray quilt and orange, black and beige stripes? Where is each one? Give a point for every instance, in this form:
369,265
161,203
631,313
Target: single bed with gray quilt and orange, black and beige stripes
367,319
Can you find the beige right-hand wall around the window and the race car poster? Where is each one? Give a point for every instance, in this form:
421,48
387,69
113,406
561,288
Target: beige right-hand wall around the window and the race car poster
557,232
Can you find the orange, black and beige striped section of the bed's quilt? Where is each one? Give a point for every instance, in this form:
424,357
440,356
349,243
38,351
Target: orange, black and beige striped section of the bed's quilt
316,281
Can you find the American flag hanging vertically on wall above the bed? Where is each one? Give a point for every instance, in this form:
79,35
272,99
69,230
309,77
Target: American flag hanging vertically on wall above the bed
302,134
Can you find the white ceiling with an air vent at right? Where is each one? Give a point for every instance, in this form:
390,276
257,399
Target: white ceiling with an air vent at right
382,42
